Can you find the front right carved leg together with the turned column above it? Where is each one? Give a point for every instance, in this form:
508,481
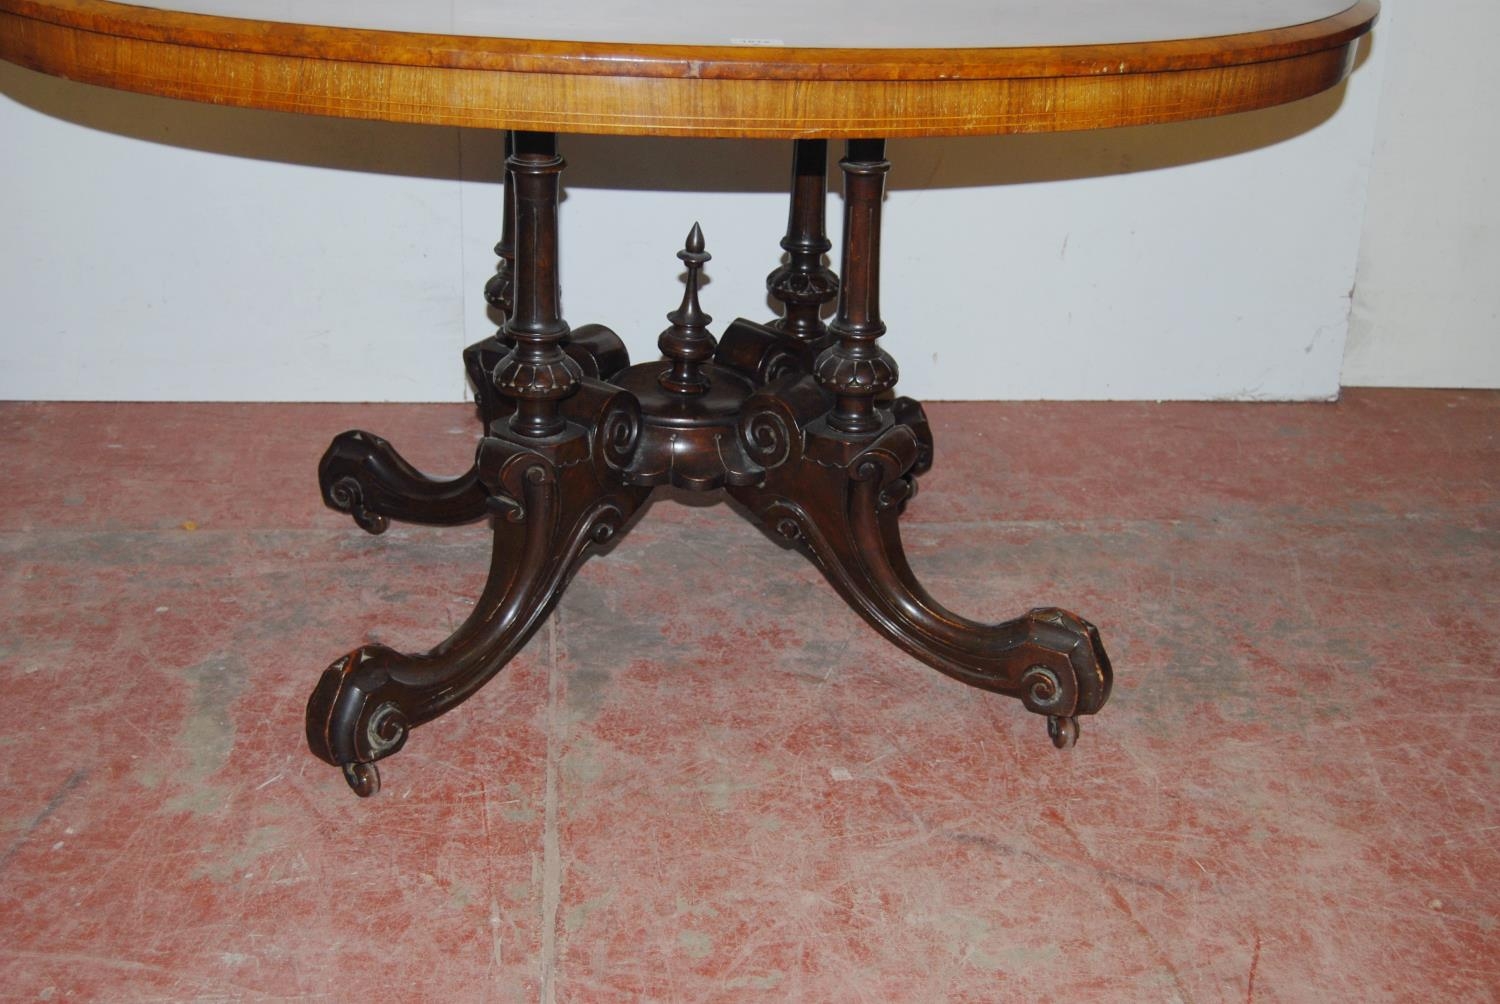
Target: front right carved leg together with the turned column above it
841,466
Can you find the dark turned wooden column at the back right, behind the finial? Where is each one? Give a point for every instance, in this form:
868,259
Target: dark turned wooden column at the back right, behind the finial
805,283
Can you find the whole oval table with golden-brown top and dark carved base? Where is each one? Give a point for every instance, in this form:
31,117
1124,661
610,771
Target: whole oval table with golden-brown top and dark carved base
794,419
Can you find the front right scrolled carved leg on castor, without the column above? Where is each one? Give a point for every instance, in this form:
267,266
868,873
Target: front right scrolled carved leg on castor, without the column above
841,499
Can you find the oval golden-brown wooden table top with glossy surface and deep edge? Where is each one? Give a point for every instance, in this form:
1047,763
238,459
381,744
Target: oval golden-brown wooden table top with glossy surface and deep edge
718,68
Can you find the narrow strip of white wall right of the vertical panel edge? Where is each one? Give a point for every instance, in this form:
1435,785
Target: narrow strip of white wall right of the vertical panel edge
1427,308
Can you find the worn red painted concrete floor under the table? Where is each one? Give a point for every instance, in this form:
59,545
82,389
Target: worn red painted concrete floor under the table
709,781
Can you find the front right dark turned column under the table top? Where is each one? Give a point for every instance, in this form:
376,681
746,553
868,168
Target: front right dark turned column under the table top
856,370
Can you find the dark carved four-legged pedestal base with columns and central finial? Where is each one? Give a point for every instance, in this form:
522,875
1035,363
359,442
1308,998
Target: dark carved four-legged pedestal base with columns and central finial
794,421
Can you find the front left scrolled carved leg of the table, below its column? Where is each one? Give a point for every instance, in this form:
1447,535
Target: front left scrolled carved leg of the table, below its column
557,502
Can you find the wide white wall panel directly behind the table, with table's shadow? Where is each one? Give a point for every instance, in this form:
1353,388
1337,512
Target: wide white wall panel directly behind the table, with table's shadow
160,250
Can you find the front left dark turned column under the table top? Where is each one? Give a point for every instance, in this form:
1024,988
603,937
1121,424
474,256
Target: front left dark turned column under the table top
536,374
